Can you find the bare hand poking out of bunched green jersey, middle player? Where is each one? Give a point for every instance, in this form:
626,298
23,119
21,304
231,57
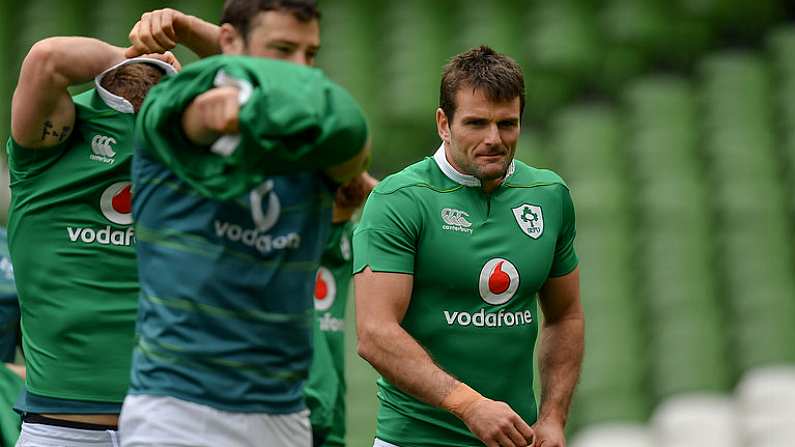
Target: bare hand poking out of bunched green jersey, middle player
212,114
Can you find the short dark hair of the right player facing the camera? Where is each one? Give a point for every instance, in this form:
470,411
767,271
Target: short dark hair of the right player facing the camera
498,76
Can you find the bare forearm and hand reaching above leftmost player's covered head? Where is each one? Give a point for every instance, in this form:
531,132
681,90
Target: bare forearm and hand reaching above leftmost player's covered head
161,30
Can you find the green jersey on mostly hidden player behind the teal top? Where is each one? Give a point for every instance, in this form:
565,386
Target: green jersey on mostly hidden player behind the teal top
326,388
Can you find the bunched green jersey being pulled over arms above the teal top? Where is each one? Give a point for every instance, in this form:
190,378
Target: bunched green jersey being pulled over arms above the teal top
292,119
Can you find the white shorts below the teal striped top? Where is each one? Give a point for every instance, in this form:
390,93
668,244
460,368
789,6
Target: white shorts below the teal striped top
155,421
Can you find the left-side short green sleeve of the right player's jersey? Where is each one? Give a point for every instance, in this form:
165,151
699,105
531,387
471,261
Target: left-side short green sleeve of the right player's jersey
387,234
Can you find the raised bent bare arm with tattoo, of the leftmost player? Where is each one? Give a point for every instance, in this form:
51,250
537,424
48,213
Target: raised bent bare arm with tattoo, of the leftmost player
42,111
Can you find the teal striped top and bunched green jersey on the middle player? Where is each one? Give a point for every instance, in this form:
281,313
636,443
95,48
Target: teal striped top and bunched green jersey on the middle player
228,251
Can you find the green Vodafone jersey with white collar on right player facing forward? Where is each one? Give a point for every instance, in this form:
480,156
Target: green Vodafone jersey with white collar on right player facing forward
478,261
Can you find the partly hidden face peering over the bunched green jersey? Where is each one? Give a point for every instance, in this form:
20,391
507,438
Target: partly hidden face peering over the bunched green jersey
279,35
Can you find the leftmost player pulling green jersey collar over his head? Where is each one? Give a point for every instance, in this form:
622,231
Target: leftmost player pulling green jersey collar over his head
70,236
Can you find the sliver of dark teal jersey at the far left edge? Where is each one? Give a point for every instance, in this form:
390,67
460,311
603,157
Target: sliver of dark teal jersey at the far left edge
9,305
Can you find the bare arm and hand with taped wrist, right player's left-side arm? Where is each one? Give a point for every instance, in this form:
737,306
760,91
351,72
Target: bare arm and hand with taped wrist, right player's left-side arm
381,303
